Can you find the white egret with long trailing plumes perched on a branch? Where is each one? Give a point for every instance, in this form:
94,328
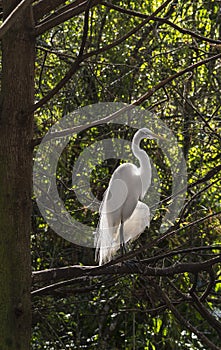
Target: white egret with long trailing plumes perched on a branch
123,216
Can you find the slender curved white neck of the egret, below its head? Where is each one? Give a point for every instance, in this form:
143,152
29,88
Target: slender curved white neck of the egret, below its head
145,166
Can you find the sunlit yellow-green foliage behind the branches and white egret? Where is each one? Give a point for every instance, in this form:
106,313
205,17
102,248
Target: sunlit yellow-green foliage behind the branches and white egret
129,311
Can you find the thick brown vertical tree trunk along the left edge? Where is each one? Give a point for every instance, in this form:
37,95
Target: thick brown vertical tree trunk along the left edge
17,96
